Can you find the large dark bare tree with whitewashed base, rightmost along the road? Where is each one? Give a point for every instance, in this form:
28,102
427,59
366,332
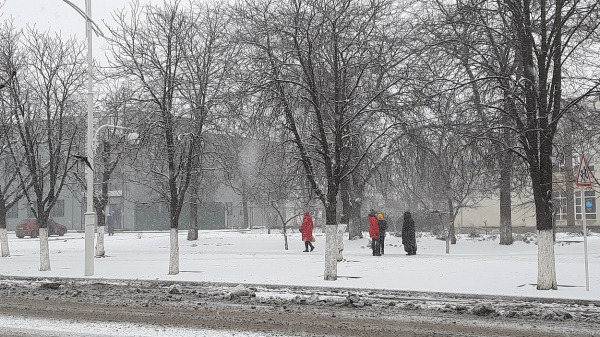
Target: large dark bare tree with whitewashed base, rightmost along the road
545,40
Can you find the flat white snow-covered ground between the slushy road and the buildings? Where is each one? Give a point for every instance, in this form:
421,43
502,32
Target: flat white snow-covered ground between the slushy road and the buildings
479,265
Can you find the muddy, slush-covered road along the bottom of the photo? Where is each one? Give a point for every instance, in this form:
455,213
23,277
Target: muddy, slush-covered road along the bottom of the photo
256,310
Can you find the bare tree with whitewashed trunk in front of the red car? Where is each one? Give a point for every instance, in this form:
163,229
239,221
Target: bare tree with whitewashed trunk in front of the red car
44,113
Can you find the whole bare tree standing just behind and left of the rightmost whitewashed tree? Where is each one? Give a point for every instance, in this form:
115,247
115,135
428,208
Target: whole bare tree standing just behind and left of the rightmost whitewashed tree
468,35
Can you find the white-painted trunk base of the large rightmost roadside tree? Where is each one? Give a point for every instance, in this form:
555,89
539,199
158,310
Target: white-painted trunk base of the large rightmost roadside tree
546,263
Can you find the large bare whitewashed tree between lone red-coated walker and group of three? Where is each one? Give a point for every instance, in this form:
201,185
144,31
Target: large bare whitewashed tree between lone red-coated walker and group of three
317,60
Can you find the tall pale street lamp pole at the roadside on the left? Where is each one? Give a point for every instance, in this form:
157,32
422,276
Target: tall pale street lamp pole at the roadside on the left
90,215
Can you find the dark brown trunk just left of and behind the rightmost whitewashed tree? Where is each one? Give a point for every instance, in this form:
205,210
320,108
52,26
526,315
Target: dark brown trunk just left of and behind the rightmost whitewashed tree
505,199
